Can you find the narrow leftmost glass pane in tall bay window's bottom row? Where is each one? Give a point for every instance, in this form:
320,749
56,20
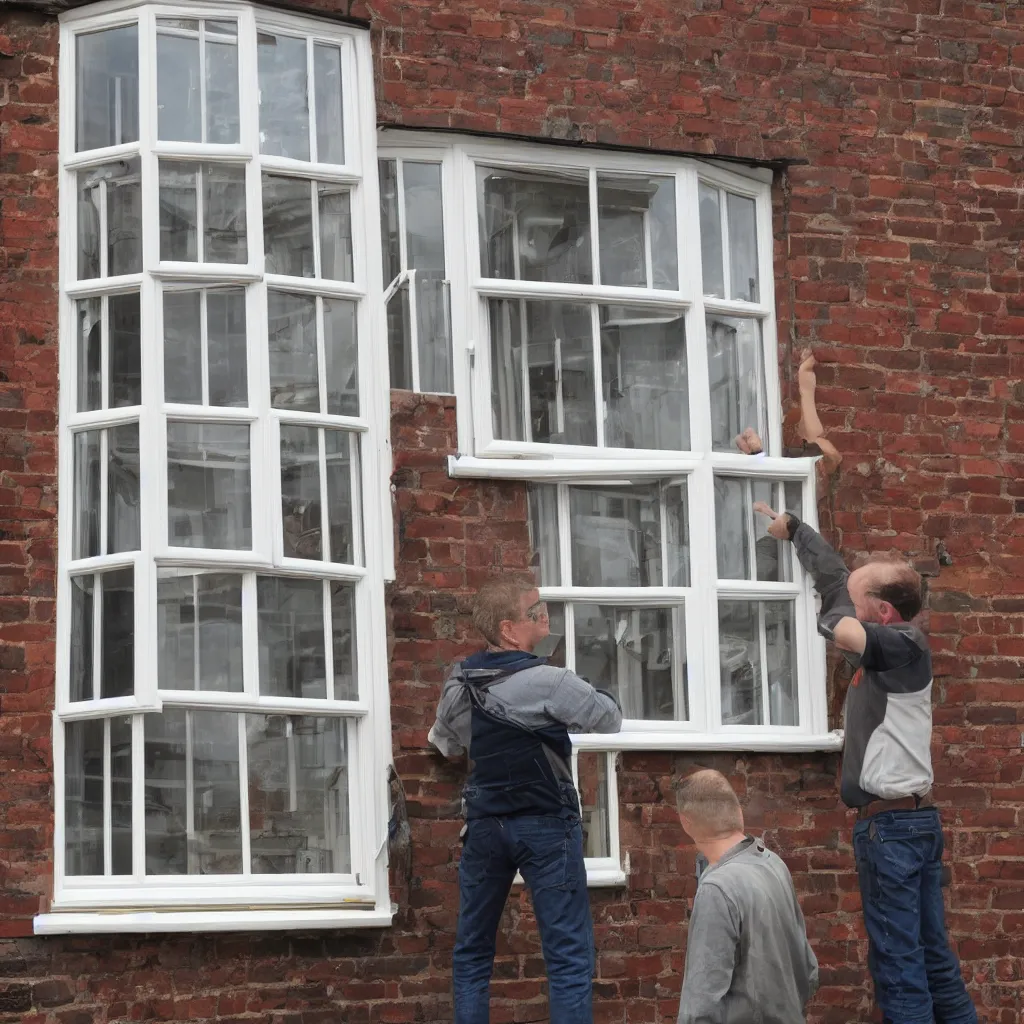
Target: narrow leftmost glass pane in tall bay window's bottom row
84,797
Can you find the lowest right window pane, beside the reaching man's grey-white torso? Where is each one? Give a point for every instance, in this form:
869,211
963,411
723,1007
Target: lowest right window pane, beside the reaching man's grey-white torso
747,628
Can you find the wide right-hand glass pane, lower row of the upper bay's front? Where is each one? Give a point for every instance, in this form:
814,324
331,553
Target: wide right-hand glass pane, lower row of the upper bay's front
644,366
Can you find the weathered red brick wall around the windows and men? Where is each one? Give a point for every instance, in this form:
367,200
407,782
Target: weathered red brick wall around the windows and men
898,253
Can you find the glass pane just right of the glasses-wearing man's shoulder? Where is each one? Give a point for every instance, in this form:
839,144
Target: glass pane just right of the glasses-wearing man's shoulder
632,653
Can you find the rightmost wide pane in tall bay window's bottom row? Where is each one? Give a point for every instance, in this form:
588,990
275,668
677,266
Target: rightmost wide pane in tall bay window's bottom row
298,795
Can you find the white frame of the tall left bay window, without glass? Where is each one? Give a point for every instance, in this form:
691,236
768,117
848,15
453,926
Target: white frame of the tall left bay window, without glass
140,903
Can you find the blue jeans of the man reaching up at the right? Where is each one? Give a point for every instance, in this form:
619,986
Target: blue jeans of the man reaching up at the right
917,975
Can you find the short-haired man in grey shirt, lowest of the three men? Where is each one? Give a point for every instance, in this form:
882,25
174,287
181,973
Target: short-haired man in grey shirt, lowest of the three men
748,959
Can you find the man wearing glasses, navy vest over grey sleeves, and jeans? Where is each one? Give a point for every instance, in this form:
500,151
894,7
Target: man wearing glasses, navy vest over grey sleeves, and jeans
513,713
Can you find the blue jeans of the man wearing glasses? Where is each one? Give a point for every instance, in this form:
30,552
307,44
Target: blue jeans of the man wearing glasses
548,852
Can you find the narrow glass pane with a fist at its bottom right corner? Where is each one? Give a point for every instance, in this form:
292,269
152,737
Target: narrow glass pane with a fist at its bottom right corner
736,368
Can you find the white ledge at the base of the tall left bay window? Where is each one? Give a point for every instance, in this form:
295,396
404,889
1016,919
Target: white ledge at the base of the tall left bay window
100,923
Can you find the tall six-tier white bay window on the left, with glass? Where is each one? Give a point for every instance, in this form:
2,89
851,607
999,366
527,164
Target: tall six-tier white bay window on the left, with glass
222,724
